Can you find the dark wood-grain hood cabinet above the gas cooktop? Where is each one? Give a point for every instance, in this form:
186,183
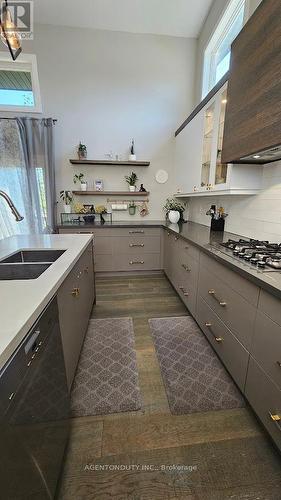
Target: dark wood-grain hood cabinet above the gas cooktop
253,112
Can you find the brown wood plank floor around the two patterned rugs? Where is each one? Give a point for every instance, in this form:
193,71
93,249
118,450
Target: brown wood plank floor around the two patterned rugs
151,454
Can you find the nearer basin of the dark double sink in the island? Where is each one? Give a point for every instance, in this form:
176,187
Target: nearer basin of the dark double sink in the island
21,271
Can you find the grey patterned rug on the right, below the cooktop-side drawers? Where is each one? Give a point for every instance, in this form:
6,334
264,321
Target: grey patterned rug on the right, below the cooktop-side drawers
194,377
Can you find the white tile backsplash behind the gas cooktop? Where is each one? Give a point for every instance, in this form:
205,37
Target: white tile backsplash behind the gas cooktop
257,216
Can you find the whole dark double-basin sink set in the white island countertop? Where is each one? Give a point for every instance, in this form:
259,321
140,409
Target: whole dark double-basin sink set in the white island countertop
27,264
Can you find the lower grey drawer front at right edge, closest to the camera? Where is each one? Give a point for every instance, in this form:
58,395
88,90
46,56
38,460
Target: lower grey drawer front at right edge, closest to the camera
265,398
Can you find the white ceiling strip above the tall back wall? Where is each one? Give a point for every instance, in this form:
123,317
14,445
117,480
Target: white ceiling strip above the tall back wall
183,18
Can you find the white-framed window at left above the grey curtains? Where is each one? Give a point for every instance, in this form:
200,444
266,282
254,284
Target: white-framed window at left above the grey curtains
19,84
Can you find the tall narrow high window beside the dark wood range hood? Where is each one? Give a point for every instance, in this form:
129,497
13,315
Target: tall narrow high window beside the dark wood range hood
218,50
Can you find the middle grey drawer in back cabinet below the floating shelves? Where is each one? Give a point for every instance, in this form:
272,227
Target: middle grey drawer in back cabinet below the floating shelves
135,244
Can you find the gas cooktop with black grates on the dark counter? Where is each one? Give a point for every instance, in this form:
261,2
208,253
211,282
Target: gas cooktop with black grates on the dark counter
258,254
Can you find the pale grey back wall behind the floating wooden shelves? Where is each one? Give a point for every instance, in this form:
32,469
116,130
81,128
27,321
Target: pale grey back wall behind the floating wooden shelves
107,87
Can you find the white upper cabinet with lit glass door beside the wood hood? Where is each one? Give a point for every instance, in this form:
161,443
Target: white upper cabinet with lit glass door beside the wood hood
198,167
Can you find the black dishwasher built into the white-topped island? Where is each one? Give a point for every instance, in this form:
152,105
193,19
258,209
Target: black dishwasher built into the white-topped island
34,413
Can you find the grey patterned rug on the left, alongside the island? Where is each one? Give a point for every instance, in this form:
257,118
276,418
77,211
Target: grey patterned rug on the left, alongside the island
106,379
